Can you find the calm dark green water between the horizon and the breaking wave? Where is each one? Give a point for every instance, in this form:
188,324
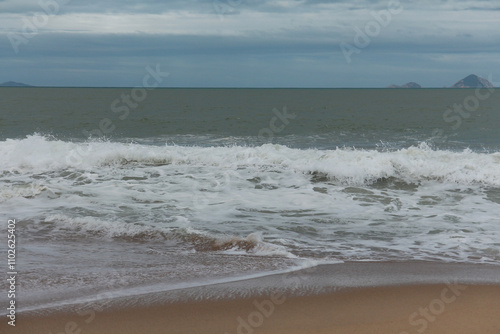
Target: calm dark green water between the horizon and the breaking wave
324,118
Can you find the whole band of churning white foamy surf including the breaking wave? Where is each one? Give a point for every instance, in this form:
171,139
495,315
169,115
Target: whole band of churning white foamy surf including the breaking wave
417,203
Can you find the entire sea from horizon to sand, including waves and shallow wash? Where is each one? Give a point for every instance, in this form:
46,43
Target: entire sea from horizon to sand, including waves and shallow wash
119,191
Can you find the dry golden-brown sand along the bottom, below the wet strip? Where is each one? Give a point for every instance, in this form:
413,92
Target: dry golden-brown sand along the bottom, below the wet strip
457,309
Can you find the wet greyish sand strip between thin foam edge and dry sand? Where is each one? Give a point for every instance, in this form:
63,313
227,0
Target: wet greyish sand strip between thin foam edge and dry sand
302,280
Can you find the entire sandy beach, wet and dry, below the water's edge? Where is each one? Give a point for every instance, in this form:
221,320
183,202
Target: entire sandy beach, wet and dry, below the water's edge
453,306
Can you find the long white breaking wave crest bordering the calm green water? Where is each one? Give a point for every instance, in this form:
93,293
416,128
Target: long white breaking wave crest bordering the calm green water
343,165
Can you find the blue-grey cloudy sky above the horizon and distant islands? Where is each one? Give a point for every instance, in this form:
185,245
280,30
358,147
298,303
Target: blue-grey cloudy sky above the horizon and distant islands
249,43
